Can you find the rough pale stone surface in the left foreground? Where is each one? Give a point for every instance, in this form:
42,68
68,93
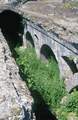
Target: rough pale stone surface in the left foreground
15,99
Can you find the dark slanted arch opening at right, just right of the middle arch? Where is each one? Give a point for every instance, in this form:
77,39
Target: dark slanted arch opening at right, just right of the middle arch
71,64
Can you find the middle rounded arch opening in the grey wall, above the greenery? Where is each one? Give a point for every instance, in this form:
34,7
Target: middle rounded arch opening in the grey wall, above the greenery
46,53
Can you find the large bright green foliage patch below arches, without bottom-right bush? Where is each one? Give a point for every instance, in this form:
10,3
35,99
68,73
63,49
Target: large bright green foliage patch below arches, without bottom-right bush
41,77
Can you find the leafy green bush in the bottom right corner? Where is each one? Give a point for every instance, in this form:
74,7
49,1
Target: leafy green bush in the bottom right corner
70,106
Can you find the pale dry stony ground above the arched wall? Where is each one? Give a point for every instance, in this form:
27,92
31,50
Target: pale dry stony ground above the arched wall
46,15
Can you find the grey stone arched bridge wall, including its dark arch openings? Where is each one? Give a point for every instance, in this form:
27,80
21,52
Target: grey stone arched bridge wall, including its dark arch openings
64,52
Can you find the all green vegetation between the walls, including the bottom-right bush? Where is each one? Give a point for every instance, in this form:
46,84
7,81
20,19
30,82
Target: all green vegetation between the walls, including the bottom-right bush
44,79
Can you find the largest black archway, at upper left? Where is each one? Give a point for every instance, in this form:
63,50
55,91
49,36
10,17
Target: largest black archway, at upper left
11,27
